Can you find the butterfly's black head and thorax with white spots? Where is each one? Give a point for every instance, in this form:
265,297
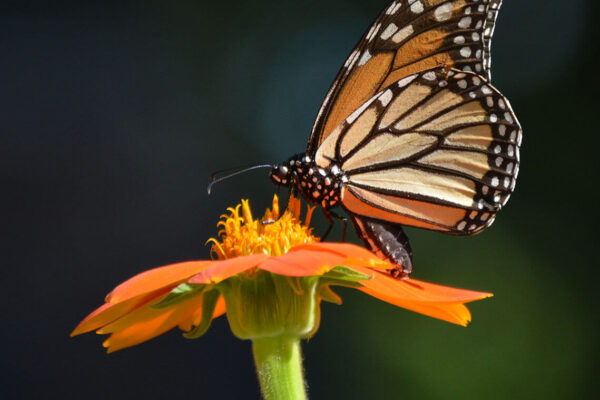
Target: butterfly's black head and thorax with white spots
316,184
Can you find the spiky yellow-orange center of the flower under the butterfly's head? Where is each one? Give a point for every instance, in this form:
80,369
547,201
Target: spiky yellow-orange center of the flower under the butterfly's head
242,235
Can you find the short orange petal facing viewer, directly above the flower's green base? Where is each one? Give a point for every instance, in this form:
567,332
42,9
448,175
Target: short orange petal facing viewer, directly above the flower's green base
303,262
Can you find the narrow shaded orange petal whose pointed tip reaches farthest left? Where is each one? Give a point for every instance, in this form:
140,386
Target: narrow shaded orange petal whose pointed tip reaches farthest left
109,312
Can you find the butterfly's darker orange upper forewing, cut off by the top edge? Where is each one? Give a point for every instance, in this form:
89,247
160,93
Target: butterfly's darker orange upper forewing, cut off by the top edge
408,37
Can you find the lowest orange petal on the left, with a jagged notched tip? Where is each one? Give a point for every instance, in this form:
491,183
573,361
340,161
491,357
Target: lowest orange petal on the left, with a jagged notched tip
146,323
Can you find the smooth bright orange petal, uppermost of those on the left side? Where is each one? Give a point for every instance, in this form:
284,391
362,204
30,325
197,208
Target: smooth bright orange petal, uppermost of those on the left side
155,279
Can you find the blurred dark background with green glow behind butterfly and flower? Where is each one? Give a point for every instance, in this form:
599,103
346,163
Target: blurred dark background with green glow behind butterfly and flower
112,117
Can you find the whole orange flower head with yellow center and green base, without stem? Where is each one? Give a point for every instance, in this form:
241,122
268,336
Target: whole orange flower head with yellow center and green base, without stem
190,294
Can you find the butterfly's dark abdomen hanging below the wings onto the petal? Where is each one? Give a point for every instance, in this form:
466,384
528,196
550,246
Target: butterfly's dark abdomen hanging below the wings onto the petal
387,240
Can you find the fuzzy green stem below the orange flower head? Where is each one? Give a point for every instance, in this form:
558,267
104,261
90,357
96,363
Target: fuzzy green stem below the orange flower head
279,365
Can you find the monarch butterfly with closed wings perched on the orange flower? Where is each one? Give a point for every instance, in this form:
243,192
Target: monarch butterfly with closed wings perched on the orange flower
411,132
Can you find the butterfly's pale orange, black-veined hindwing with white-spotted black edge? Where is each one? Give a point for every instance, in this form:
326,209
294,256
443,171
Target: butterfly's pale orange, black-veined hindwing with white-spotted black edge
437,150
